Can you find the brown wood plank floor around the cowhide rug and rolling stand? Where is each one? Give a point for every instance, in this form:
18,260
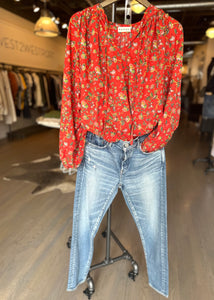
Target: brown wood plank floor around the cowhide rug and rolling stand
34,229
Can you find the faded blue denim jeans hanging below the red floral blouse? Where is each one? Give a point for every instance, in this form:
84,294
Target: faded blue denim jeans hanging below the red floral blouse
141,176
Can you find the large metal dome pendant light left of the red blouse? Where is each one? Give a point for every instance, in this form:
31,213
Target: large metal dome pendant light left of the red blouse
45,26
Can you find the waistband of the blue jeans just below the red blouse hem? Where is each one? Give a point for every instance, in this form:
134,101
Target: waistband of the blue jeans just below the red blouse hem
99,141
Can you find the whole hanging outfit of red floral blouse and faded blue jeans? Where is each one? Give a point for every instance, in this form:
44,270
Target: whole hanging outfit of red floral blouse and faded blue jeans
115,136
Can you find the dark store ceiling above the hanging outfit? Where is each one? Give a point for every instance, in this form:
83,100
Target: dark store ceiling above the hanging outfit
195,21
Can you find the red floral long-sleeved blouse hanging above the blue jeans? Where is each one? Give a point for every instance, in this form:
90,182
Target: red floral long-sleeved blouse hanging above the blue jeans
120,84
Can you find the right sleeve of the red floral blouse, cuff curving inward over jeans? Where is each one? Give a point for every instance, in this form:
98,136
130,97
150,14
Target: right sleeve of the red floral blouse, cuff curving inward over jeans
169,120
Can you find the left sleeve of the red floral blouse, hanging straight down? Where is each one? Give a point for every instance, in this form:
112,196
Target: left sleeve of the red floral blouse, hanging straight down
70,121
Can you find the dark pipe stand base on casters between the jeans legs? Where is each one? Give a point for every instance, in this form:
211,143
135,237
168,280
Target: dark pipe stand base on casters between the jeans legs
108,260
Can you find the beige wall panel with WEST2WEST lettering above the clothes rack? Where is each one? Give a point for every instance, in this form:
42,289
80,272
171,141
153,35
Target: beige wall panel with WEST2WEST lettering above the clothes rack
20,46
